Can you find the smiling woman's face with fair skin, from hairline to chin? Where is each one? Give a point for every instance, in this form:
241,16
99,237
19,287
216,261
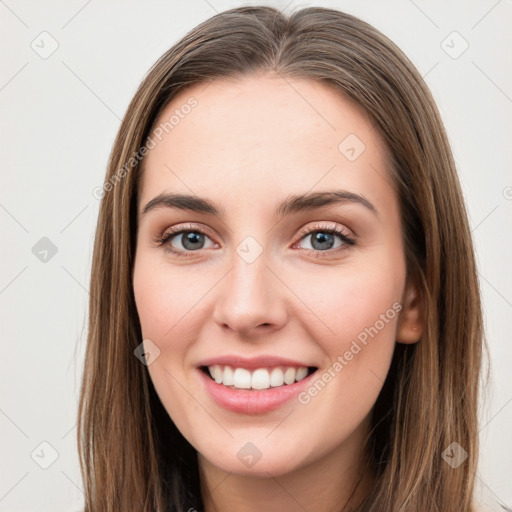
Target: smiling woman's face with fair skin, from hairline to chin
257,289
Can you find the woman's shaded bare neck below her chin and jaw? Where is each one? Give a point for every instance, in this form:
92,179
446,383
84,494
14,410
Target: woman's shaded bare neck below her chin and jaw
337,481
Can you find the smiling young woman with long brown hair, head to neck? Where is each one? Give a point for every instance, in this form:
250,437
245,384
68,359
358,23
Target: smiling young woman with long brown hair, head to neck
285,312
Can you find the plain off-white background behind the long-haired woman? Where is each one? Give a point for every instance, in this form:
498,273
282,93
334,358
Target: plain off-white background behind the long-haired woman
59,117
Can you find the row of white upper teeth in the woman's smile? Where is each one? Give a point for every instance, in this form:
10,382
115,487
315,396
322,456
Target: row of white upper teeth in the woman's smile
262,378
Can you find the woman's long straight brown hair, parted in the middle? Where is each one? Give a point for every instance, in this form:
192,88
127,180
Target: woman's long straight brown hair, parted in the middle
132,456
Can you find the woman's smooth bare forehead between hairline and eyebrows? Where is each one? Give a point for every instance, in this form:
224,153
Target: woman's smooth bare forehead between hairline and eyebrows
280,134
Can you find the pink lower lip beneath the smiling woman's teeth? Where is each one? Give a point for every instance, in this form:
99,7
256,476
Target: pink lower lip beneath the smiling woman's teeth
253,401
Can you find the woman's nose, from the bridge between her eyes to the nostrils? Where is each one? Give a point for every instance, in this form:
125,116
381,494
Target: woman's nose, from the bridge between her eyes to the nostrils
250,297
